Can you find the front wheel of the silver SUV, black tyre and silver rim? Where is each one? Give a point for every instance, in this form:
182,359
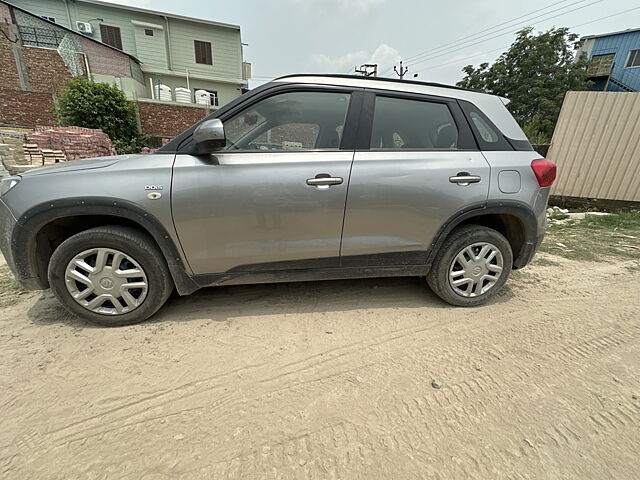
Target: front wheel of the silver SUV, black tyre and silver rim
110,275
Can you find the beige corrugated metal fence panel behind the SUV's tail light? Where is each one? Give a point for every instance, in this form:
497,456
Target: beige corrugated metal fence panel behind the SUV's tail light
596,145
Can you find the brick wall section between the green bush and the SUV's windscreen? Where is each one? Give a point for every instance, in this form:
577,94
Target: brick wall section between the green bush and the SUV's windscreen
168,120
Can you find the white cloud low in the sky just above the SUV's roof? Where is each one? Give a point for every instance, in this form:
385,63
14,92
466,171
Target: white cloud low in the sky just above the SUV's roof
385,56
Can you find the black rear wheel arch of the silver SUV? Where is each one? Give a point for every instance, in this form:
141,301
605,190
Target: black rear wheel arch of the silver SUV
515,220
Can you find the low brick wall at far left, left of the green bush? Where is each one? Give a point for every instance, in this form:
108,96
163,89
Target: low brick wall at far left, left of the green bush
26,108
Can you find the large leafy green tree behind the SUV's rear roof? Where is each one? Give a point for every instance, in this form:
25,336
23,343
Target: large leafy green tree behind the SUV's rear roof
534,74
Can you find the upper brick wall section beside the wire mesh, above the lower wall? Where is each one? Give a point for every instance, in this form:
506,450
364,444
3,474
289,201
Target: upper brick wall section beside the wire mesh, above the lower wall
45,69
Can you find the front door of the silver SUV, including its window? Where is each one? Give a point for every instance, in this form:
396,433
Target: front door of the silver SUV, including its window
274,197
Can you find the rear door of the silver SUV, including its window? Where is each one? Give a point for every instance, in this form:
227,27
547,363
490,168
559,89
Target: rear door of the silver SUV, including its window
417,166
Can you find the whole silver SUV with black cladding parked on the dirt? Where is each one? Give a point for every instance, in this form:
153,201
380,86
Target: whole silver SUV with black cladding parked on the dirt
308,177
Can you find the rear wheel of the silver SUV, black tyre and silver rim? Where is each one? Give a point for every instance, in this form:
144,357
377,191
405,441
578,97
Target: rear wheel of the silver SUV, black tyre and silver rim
472,265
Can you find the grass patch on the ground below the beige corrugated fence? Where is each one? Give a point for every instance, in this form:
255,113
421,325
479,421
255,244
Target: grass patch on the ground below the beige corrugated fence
598,239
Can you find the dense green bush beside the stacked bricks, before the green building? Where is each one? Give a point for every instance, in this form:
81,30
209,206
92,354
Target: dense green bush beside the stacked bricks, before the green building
84,103
